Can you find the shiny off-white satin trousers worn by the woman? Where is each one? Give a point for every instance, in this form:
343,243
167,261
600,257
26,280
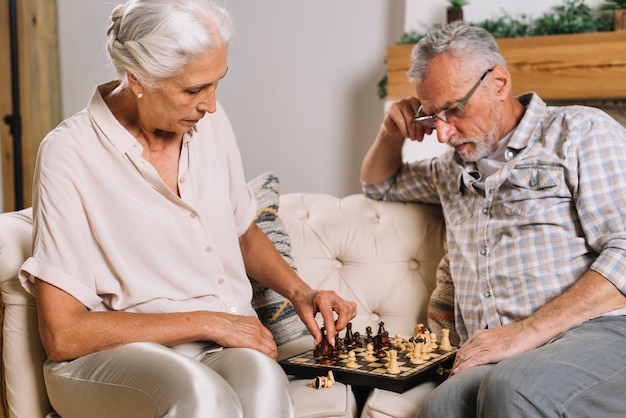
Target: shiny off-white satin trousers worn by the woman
149,380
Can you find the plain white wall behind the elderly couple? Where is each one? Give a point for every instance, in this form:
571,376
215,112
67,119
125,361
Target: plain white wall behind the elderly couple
301,86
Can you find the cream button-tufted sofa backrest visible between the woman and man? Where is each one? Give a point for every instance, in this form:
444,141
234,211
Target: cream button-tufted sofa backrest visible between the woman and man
382,255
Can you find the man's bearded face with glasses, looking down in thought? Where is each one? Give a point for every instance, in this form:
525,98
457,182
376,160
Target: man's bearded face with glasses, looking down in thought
472,131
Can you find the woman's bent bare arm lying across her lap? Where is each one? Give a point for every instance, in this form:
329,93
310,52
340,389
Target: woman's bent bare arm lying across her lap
69,330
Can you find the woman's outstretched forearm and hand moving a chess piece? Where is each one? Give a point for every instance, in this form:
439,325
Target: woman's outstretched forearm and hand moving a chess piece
268,267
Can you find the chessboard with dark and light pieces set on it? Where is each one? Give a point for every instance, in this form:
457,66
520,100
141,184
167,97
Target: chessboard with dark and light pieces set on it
366,371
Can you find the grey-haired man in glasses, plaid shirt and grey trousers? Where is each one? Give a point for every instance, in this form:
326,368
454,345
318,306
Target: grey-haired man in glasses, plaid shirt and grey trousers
534,199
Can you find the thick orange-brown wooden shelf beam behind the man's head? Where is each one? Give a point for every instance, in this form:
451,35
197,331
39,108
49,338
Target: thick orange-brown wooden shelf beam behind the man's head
557,67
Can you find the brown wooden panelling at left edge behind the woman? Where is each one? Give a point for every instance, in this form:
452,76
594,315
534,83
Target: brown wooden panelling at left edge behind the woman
39,88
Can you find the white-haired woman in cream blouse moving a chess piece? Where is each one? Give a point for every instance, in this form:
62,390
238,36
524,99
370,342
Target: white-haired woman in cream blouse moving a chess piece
144,236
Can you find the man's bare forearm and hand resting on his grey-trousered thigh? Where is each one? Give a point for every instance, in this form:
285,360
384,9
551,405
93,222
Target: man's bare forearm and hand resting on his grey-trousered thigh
592,295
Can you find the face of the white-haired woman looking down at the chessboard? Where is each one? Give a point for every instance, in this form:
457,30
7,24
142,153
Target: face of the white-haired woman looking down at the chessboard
181,101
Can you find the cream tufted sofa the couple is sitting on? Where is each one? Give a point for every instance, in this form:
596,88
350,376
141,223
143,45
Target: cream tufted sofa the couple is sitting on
381,255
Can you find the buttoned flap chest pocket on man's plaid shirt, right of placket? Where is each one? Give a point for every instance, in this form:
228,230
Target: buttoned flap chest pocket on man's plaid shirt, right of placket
534,189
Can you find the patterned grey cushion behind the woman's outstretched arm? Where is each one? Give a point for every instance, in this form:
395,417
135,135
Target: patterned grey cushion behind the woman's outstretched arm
274,311
